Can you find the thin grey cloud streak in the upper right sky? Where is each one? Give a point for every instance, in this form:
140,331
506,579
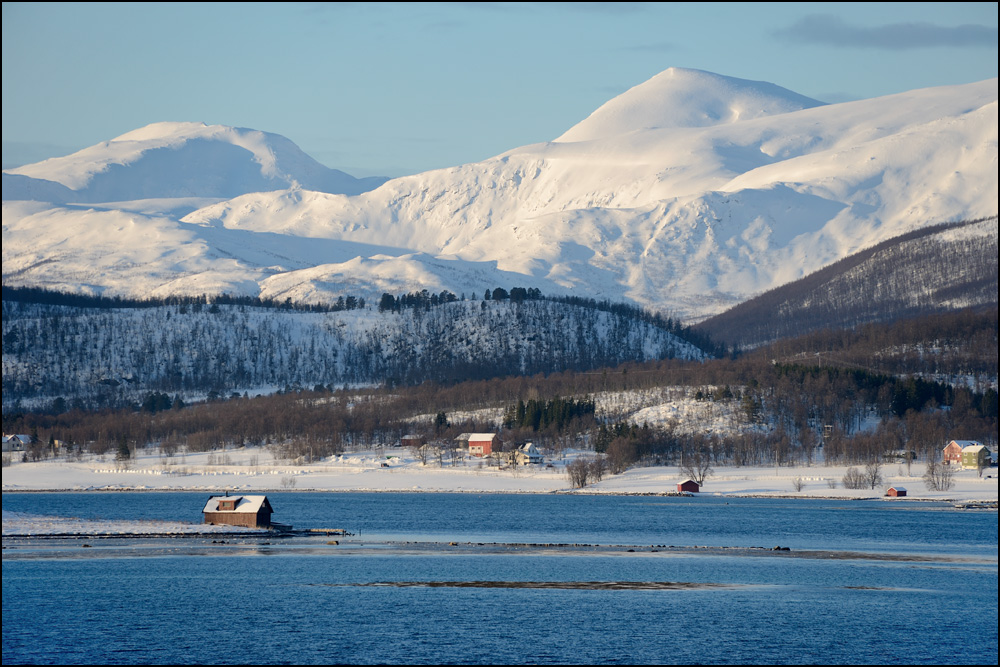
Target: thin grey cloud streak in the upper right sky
833,31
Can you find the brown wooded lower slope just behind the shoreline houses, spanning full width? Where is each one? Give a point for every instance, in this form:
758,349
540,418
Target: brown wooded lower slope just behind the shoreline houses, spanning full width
811,397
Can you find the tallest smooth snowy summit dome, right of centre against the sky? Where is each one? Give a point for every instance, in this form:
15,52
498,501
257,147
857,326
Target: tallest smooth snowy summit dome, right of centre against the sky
679,97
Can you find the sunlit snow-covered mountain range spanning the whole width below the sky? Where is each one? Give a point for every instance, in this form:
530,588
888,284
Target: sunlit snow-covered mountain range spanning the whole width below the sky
688,193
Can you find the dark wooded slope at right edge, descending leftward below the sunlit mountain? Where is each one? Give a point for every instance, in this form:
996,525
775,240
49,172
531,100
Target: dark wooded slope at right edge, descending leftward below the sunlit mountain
936,269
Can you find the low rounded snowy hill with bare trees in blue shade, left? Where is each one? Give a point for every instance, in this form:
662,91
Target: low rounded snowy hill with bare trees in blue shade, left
112,354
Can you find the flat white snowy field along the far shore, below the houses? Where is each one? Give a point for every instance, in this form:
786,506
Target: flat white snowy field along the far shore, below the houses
254,469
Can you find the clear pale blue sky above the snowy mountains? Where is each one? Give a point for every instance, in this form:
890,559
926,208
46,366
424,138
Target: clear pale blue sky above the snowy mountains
393,89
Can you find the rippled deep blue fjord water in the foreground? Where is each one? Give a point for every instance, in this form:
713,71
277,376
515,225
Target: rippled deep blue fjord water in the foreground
864,582
